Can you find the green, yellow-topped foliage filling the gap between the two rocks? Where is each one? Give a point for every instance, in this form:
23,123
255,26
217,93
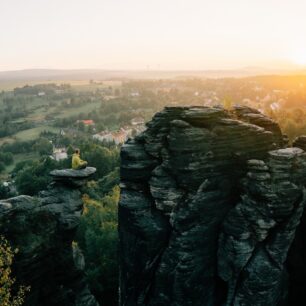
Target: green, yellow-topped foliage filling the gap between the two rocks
98,238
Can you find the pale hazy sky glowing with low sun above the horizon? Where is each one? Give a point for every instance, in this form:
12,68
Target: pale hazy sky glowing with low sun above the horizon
151,34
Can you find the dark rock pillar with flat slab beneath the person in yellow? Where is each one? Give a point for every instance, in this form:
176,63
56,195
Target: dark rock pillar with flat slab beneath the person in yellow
43,228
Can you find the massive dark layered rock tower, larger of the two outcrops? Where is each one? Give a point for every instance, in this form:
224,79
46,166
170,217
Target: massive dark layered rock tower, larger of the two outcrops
209,207
